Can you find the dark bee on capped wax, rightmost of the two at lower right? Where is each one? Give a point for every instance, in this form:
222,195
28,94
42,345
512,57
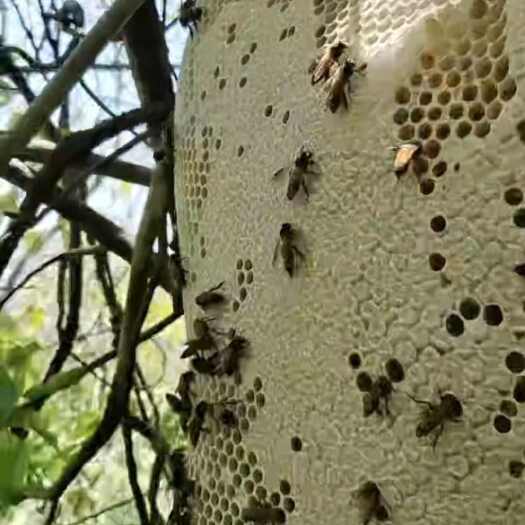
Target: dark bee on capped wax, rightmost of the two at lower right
434,416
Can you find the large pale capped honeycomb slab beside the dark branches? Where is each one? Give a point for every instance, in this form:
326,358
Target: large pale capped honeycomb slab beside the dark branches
418,279
